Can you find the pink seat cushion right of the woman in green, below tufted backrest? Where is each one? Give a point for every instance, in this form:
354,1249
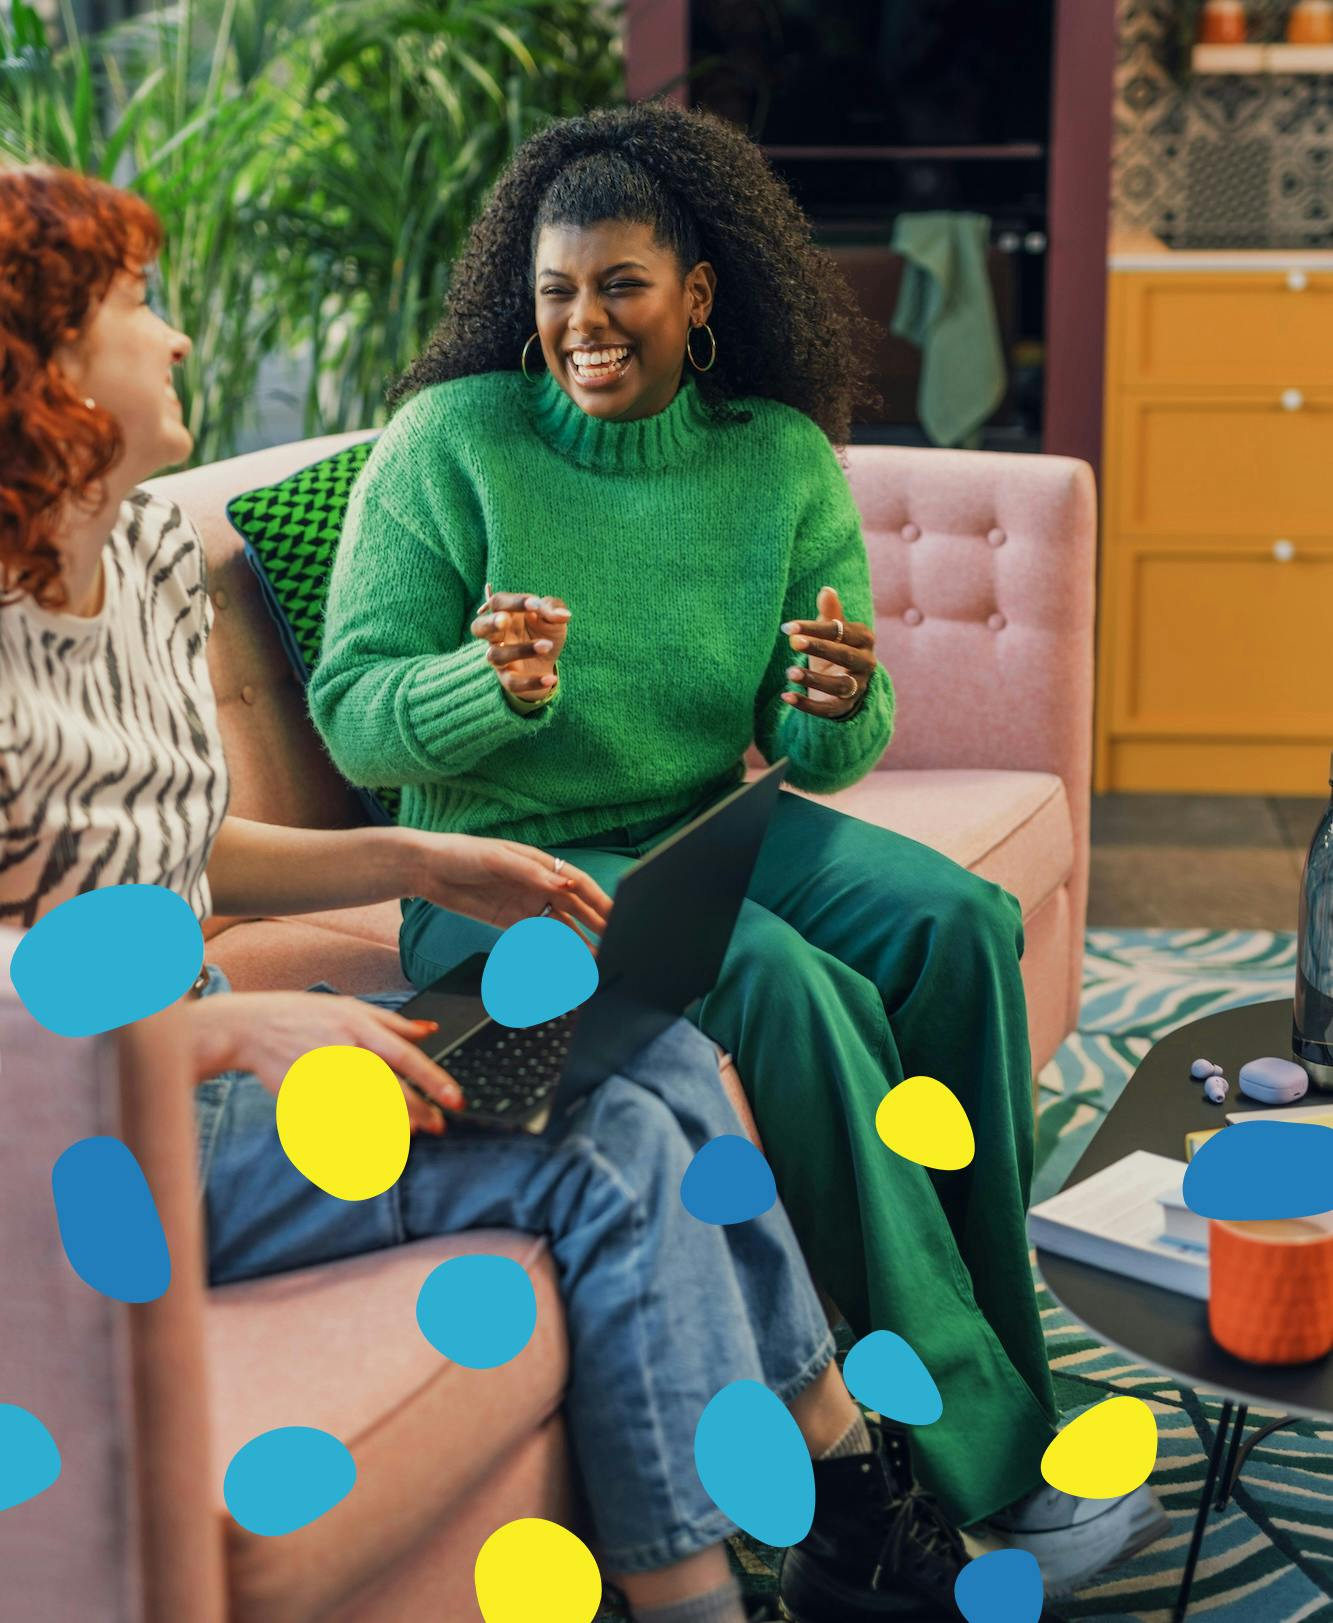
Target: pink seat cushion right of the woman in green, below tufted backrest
1012,829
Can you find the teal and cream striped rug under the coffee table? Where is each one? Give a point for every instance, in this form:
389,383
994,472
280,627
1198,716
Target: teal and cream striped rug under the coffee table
1269,1557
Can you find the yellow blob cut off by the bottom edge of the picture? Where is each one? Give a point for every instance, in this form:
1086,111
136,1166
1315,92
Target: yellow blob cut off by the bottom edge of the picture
535,1569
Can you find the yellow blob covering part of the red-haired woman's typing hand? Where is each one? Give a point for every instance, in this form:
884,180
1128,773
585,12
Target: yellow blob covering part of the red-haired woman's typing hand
343,1122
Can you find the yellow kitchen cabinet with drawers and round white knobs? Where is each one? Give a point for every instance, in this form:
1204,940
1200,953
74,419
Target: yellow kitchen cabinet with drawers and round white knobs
1217,561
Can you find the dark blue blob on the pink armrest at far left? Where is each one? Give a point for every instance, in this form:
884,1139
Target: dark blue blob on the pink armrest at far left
110,1223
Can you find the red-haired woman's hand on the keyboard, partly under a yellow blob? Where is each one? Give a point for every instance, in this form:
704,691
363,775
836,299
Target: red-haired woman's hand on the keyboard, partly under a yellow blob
269,1031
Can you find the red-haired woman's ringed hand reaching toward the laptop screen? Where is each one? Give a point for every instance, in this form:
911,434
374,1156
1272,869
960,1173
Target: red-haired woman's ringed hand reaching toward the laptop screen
501,882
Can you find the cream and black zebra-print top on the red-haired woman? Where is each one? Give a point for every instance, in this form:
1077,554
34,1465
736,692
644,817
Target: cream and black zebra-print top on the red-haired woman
111,764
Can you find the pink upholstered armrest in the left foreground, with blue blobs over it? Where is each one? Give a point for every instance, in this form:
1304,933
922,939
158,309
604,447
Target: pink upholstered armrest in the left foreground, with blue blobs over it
127,1533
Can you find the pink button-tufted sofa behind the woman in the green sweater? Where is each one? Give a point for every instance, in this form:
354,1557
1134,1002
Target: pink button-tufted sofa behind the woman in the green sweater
983,570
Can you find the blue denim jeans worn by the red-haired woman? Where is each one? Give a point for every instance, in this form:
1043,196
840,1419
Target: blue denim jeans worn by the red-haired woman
663,1311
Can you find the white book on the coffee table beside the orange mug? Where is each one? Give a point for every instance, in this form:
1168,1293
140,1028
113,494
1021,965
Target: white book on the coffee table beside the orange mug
1116,1221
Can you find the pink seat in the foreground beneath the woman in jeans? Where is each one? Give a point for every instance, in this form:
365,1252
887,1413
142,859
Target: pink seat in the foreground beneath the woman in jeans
340,1350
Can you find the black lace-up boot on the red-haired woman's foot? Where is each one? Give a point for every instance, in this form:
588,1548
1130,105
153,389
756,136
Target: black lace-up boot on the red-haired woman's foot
881,1548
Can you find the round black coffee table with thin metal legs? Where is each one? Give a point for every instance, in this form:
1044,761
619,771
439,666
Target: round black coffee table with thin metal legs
1158,1108
